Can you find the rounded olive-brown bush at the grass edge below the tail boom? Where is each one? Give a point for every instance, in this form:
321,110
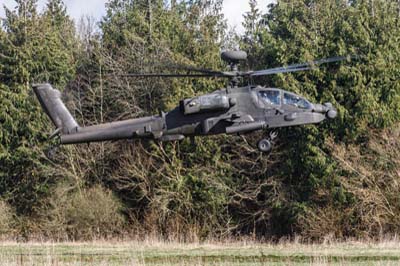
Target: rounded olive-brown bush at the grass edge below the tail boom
87,214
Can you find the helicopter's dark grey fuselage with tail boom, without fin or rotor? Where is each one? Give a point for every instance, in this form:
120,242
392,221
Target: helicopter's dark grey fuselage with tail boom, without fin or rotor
231,110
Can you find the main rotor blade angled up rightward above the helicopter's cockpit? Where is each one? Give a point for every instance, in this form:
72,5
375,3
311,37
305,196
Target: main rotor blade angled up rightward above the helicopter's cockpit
297,67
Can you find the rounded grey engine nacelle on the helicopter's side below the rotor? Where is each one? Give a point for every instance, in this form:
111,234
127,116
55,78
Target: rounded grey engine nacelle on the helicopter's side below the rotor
205,103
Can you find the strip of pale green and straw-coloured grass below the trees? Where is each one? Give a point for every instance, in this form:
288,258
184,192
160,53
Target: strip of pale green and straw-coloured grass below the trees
155,253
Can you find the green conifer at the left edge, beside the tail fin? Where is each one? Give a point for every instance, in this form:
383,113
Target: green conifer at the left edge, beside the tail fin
30,52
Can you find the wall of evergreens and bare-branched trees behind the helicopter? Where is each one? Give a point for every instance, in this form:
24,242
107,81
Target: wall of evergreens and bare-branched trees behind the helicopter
339,179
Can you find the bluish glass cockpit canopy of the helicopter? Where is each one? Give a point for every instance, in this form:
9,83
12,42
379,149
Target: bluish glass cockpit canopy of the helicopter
278,97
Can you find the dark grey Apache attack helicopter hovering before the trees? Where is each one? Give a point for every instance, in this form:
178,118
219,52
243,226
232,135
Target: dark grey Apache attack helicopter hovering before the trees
231,110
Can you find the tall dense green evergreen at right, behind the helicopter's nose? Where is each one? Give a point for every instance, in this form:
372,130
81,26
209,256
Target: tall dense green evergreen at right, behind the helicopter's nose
365,91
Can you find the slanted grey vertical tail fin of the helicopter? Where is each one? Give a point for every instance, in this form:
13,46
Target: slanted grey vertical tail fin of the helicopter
50,99
